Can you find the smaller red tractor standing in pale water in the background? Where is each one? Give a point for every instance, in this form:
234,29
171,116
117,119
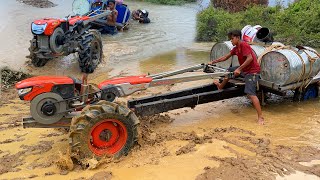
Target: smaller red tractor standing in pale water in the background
60,37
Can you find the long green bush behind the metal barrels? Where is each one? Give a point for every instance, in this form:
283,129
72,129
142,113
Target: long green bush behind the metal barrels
296,25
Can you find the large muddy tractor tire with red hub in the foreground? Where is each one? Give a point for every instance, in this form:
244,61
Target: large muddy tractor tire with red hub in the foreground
103,131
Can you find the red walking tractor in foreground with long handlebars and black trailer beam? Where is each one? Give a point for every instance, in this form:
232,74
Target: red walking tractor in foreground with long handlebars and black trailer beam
101,127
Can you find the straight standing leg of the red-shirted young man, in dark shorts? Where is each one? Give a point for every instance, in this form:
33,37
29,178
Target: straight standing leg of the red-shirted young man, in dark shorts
250,89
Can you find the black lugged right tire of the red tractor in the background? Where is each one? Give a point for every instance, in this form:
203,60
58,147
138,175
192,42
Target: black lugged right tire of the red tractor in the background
90,55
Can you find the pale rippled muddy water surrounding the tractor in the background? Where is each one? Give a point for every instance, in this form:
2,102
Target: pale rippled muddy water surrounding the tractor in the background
172,27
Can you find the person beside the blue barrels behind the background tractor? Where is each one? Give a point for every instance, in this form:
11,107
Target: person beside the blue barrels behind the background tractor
110,27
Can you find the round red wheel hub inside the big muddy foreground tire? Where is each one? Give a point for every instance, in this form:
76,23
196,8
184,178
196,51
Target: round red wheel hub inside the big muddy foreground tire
107,137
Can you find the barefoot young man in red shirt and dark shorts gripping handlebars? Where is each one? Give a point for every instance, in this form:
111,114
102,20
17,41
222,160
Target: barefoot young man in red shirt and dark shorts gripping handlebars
249,68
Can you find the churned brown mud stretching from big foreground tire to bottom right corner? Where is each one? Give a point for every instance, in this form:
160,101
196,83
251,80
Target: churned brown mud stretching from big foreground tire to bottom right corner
269,161
